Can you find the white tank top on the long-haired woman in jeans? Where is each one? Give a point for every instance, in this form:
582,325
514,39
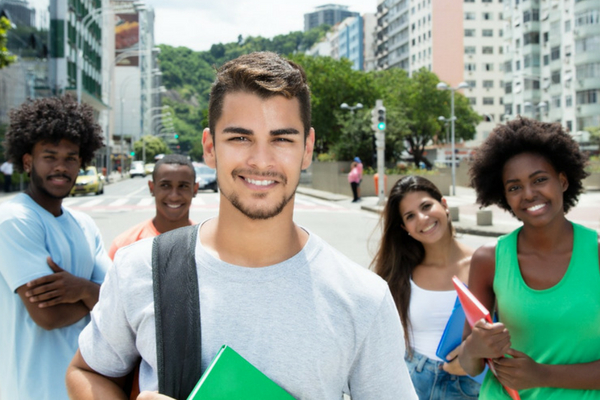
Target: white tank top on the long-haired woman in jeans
429,311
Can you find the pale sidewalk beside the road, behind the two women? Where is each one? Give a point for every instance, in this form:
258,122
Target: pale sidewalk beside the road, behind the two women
586,212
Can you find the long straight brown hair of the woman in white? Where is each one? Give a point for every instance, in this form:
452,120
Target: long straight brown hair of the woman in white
399,253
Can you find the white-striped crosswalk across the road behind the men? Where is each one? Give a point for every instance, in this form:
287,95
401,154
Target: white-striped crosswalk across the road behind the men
107,203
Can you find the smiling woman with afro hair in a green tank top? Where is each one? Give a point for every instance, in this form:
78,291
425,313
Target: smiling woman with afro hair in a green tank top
543,279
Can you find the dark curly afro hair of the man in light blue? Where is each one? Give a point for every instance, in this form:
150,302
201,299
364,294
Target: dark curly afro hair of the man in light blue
52,119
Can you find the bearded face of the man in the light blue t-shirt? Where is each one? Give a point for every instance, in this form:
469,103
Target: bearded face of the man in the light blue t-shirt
53,168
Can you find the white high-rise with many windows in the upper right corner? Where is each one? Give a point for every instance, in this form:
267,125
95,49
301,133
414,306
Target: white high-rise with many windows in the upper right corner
552,61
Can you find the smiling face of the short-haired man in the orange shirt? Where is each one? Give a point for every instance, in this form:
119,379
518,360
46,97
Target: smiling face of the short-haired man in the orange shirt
173,189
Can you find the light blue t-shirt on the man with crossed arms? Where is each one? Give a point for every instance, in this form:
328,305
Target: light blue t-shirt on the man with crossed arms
34,360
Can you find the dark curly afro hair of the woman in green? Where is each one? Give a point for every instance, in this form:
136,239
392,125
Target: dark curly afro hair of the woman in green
524,135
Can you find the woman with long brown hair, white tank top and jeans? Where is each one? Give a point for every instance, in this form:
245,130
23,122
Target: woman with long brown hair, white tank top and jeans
417,256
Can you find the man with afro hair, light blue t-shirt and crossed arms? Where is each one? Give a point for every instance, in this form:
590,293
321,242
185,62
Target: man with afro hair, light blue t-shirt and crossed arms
53,259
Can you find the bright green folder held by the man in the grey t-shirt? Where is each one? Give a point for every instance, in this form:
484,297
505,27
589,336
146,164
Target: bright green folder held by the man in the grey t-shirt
229,376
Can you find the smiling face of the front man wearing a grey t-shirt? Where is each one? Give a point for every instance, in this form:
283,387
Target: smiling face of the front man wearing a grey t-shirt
258,151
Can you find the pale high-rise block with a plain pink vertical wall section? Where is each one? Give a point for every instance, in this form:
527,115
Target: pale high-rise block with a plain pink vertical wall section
458,40
